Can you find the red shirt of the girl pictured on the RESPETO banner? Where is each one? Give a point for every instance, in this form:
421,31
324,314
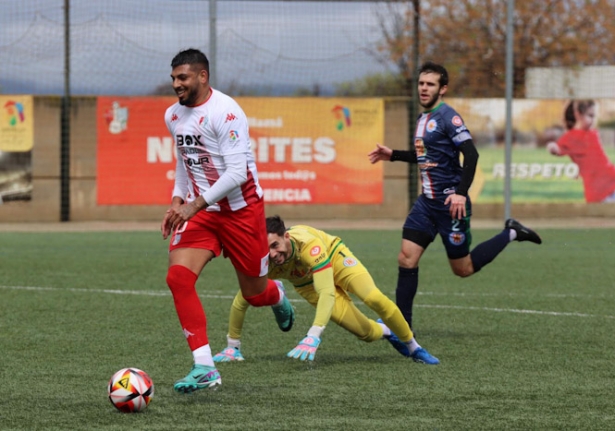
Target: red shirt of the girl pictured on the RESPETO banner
597,171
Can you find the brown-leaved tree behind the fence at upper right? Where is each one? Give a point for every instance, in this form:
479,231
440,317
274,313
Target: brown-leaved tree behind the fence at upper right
469,37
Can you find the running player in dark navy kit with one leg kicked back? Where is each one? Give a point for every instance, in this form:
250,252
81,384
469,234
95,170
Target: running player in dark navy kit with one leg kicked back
444,206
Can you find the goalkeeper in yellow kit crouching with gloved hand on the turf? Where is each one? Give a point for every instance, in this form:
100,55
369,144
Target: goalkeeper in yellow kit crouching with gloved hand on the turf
324,271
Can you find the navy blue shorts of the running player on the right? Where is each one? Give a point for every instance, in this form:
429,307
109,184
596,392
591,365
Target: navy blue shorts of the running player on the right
431,217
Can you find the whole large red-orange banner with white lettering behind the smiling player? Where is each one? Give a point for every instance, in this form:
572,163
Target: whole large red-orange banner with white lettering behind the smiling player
307,150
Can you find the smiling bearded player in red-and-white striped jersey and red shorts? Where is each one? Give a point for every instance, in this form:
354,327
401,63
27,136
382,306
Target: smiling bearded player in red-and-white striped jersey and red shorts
217,203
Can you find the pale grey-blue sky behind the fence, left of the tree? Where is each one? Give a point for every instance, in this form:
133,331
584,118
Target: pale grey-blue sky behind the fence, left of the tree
125,47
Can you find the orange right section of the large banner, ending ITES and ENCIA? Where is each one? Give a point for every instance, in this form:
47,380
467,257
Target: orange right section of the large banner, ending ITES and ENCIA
314,150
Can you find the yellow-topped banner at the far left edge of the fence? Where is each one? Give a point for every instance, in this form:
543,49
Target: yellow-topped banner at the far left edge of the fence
16,141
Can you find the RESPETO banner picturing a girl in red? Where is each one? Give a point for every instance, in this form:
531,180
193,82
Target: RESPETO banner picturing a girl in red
583,172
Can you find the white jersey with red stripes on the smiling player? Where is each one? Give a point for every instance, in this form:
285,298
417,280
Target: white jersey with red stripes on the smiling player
206,136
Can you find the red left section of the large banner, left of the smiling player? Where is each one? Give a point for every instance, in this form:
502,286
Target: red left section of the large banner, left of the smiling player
135,155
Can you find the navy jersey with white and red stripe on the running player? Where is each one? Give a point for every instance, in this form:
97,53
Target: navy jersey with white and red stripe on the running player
439,133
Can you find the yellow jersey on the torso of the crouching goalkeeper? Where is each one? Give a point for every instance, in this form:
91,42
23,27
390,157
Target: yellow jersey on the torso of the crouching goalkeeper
312,250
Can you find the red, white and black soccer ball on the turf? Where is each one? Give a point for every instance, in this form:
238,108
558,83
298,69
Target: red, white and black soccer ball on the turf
130,390
